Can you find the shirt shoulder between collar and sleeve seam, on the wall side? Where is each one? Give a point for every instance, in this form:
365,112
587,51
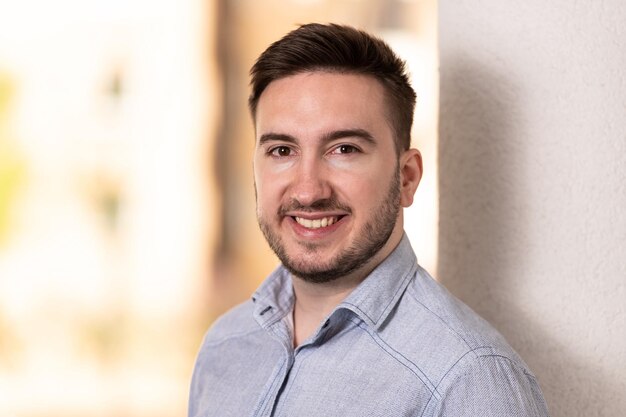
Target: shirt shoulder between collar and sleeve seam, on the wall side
439,333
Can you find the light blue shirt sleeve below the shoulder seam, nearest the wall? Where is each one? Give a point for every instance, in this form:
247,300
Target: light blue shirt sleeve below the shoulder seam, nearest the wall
491,386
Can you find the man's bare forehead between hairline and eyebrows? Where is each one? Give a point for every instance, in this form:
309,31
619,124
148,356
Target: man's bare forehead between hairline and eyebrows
322,100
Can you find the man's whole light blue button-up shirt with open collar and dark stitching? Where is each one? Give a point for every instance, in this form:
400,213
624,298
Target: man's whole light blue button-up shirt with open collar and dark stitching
398,345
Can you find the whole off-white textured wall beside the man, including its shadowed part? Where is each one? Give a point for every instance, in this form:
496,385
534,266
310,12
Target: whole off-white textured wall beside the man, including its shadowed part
533,186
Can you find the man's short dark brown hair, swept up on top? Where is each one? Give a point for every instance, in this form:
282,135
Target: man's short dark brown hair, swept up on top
342,49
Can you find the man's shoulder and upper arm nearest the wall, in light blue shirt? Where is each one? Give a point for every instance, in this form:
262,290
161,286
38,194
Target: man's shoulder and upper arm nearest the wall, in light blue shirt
471,367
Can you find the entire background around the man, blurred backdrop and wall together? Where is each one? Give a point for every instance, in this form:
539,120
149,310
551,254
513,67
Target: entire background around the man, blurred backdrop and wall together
127,214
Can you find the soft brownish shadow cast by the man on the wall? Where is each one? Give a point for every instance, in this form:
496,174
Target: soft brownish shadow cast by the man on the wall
484,220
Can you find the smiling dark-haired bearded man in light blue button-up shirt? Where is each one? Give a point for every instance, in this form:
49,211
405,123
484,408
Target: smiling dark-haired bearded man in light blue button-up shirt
349,324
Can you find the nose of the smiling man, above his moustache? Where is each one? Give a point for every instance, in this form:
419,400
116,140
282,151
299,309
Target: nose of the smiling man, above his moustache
310,183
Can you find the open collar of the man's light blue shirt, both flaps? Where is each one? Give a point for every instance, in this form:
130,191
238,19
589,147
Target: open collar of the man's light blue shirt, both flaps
372,300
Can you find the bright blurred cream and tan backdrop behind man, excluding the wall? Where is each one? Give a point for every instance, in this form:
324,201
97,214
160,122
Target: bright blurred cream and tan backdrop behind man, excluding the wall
126,203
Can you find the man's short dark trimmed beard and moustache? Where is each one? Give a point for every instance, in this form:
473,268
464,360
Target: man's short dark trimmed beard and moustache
373,235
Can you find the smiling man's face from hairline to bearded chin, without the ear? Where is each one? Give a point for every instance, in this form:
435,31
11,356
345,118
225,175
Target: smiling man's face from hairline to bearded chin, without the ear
326,174
